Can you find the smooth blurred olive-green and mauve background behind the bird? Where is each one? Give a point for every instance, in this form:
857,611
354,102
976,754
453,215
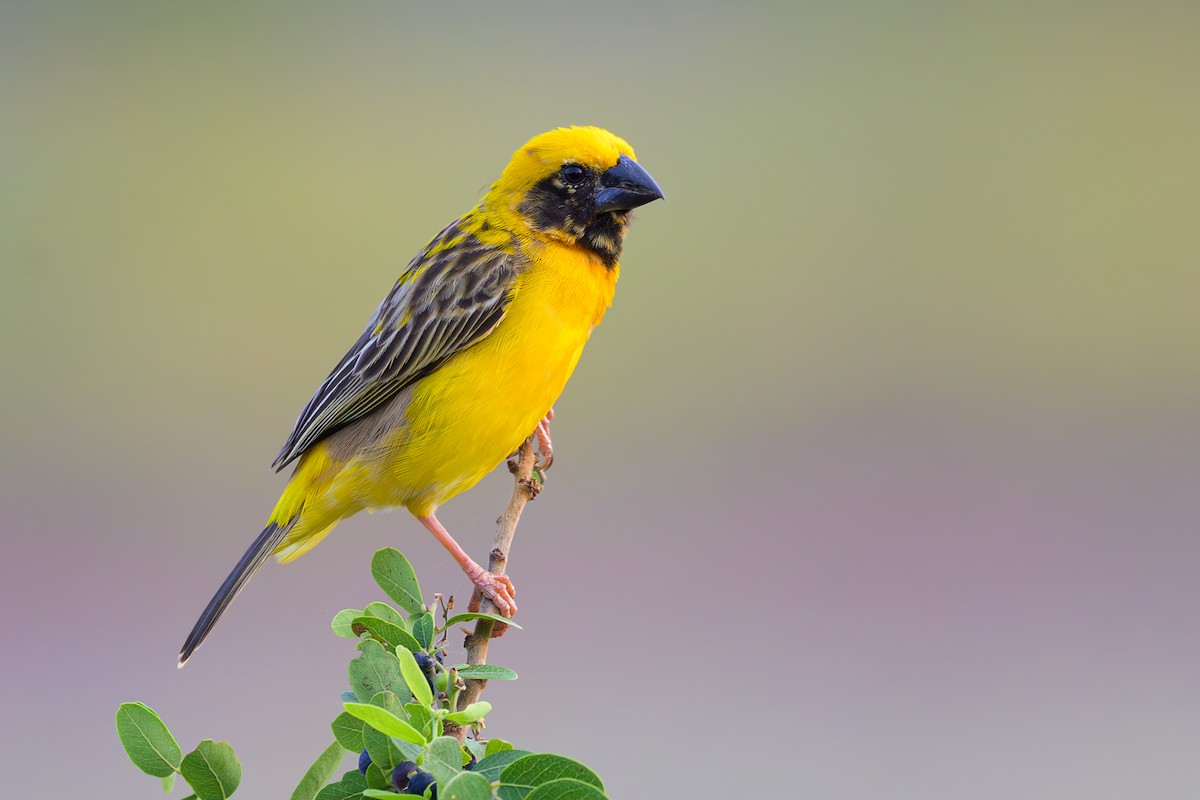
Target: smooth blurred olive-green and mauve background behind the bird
879,480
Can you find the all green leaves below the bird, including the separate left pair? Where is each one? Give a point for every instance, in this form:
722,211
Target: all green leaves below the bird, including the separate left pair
401,699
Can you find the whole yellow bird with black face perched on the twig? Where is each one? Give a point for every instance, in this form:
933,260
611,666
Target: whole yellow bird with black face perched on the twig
464,359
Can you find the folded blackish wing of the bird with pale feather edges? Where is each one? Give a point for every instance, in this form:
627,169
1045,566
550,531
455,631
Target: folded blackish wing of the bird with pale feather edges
452,296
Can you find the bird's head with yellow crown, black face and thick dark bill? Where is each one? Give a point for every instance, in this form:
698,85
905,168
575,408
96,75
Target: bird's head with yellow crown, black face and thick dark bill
578,187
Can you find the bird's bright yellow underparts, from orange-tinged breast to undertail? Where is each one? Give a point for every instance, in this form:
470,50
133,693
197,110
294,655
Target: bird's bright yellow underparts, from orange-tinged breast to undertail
469,416
